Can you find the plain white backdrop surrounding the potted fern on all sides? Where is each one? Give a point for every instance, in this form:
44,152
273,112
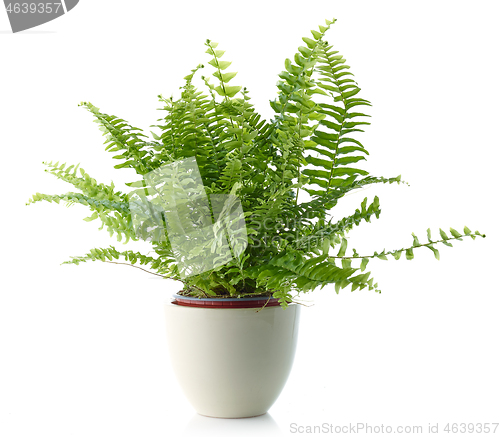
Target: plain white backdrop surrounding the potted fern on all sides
83,349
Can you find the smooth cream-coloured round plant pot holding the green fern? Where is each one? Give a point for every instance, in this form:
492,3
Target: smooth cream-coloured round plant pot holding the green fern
231,362
